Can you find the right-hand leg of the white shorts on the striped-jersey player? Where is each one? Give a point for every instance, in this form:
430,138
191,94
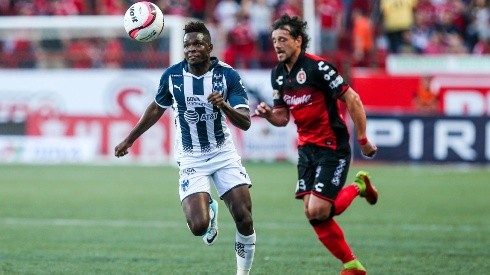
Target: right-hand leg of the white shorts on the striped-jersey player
229,177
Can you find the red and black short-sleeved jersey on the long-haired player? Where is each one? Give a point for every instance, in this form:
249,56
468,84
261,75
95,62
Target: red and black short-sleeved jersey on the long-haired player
310,91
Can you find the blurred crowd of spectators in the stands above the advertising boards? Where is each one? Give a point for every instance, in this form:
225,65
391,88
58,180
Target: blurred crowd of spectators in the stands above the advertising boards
350,33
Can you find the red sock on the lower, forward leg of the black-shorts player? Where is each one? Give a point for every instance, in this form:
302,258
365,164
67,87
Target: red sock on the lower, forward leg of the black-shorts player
332,237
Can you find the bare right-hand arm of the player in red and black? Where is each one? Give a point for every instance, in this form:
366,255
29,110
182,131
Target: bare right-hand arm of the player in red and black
358,116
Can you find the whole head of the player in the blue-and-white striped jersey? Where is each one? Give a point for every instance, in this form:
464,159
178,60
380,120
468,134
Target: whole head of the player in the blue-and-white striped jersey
197,43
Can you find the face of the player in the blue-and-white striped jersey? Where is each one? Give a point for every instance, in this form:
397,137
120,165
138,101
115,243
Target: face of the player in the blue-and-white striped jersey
197,49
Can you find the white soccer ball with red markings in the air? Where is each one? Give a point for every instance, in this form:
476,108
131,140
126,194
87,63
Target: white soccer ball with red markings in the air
143,21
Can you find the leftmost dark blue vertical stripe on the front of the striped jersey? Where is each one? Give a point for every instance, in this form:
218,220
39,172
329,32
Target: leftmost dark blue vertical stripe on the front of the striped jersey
179,97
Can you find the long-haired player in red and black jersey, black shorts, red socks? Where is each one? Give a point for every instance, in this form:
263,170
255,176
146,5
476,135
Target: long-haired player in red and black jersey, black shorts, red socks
310,89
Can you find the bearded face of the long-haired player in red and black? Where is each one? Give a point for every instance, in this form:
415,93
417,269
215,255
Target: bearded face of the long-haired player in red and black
287,47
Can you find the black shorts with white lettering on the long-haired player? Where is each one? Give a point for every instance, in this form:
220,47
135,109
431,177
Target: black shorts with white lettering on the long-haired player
322,171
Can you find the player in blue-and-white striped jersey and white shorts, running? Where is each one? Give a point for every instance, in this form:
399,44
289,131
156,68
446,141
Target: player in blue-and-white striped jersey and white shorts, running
204,93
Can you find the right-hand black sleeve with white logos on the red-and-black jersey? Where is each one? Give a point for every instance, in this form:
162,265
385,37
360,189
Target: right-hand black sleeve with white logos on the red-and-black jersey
328,79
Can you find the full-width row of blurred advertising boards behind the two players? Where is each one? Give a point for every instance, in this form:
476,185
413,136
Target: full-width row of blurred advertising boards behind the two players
79,116
